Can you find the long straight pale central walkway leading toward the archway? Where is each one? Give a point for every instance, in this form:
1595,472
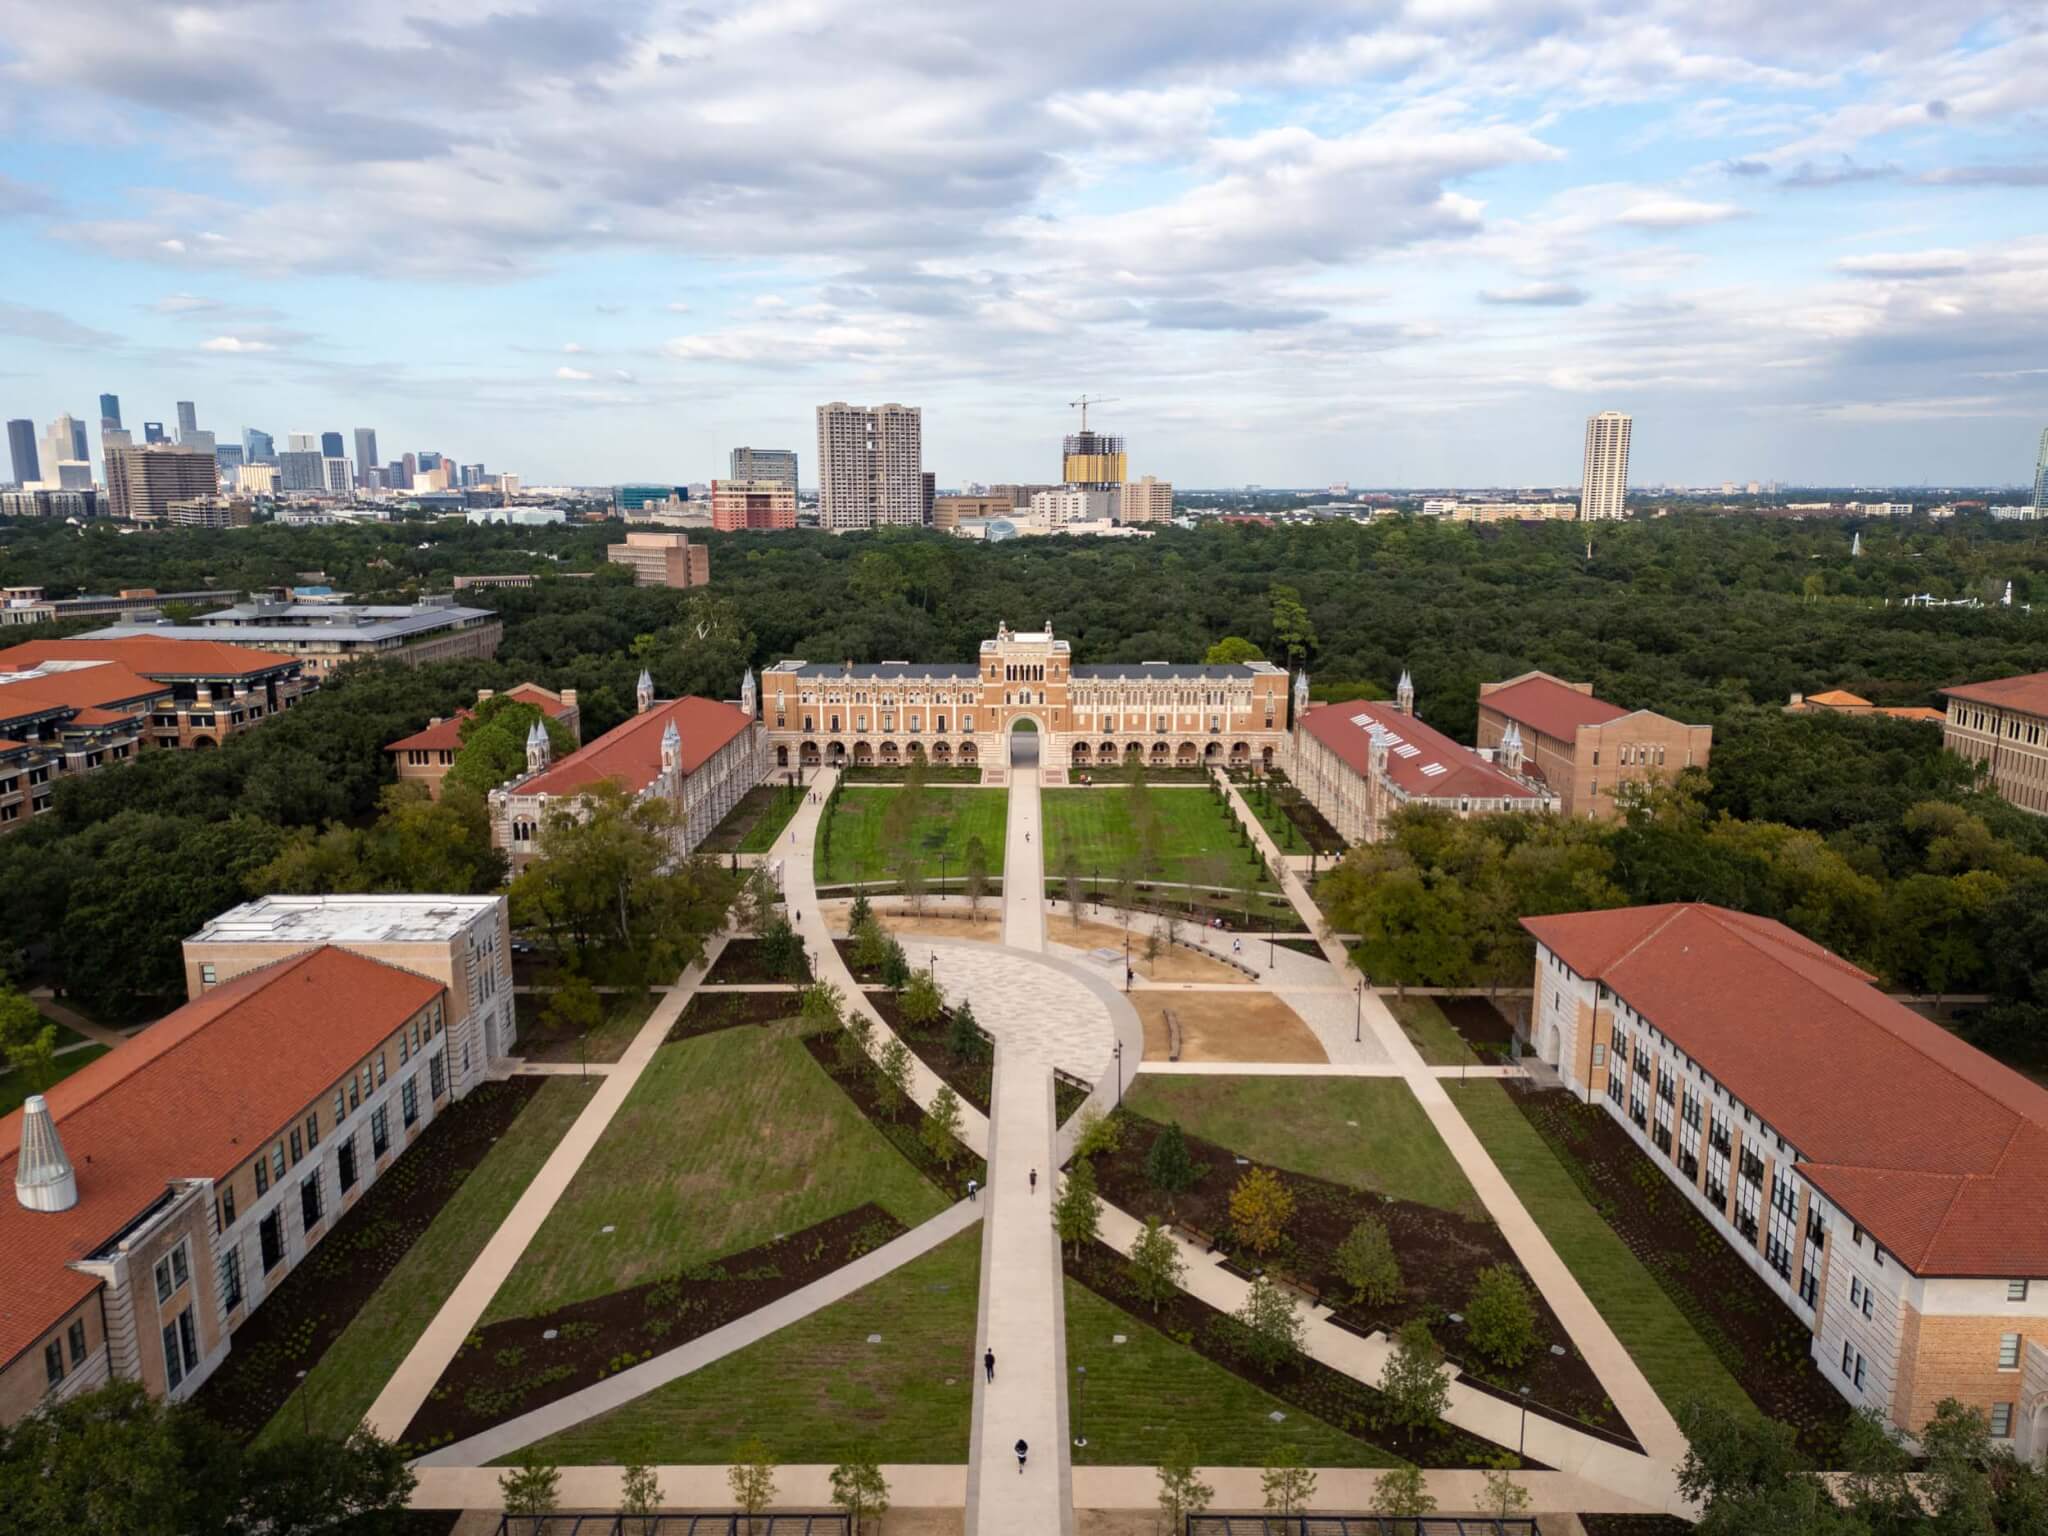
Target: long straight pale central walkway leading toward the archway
1023,1316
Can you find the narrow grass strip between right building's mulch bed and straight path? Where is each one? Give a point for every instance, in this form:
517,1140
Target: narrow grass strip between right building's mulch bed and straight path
1664,1345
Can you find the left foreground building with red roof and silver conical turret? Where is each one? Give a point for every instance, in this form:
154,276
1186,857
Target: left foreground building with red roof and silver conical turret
167,1189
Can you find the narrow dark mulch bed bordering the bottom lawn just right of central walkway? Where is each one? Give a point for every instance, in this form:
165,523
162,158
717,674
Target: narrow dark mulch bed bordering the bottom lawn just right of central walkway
1310,1385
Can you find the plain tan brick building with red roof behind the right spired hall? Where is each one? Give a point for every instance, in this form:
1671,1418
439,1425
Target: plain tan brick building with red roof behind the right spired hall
1590,753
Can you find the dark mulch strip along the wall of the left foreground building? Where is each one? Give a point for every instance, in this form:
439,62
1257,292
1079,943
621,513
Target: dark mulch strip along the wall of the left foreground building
323,1297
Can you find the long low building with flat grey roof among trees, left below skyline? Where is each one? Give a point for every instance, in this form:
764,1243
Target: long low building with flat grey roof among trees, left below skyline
327,636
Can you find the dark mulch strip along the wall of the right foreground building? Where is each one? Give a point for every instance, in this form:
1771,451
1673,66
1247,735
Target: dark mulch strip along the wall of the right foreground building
1760,1342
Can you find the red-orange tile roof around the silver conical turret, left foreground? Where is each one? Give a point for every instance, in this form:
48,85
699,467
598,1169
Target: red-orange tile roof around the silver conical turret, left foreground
191,1097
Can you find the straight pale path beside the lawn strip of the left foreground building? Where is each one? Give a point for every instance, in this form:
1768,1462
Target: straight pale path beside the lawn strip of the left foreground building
460,1314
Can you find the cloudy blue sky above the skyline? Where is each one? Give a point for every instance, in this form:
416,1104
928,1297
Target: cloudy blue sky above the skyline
1295,243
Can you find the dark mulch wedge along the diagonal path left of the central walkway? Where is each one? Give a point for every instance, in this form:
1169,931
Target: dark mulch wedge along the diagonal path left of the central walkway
515,1367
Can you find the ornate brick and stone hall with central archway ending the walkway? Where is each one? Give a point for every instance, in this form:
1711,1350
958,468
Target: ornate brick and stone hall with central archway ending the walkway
962,714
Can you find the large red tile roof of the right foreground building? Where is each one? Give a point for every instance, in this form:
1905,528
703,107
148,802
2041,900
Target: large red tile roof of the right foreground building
1932,1146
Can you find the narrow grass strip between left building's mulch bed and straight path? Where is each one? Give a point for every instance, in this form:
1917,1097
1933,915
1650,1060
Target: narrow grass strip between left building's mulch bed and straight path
341,1390
